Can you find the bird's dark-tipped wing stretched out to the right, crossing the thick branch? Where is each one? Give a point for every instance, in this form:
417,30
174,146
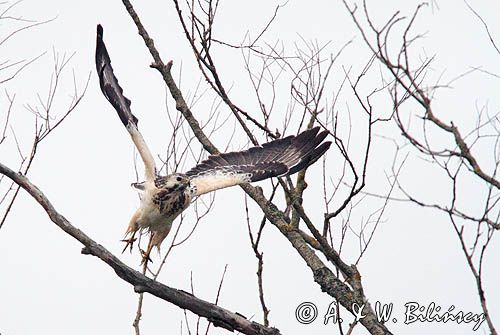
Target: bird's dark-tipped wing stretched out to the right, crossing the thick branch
277,158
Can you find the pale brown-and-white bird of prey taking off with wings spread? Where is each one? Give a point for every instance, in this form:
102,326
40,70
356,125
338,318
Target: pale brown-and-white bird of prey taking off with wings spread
165,197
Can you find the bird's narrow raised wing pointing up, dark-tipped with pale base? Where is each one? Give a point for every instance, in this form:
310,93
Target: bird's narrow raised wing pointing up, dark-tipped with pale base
114,93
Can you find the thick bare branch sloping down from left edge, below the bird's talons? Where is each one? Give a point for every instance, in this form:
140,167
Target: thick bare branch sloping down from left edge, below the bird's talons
220,317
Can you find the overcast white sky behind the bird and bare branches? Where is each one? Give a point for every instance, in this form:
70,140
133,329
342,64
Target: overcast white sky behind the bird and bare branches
86,166
